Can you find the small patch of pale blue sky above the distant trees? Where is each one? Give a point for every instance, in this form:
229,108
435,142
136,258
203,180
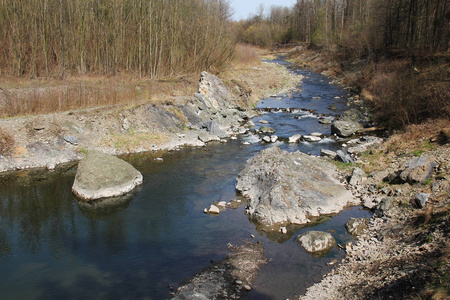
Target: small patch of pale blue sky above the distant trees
244,8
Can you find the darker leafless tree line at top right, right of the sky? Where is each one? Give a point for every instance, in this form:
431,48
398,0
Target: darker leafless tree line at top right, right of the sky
359,25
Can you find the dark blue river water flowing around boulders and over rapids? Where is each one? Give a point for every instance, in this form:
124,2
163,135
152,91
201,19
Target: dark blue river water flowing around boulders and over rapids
52,247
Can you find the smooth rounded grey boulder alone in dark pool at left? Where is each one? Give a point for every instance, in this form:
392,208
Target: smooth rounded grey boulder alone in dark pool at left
101,175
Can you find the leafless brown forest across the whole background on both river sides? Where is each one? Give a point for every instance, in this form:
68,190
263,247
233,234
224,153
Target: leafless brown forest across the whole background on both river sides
400,46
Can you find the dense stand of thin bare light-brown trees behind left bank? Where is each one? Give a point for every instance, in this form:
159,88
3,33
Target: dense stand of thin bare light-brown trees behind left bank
152,38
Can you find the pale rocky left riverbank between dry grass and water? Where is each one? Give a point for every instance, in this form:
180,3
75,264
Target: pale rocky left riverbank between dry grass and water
46,141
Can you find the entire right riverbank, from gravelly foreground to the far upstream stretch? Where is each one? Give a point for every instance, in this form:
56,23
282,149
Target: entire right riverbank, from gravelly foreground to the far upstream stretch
404,253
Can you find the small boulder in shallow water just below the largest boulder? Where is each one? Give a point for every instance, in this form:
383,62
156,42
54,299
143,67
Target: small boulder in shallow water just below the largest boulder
316,242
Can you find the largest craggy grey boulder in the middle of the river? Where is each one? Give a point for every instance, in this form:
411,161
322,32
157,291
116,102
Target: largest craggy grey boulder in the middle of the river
292,188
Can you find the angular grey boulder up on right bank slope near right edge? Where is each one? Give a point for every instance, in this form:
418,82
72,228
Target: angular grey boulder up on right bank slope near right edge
418,169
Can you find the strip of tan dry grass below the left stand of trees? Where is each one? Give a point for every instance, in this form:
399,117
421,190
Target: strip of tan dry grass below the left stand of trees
33,97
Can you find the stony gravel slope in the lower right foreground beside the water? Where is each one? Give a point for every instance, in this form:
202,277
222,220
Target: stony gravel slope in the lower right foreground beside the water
404,253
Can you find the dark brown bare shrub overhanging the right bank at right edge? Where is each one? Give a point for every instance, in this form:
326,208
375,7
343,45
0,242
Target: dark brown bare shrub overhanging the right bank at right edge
404,94
